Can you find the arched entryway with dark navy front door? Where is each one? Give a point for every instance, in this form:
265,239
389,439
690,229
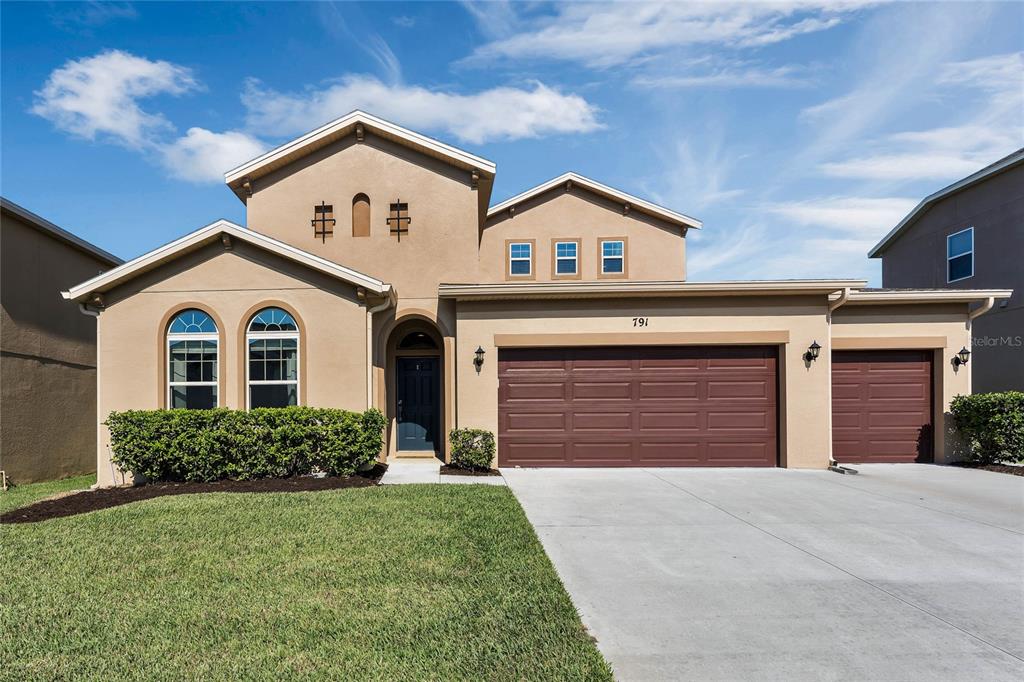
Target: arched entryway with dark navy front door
417,376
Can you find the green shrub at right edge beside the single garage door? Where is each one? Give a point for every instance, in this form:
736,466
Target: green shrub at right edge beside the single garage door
992,425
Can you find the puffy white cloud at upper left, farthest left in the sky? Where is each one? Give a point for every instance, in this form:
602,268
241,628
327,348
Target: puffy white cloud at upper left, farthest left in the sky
99,97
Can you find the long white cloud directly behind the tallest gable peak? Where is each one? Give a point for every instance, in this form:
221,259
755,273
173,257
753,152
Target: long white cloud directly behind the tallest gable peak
500,113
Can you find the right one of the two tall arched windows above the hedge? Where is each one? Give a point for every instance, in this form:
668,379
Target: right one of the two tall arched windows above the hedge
273,343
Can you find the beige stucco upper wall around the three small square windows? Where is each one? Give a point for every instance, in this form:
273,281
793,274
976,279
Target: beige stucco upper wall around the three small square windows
656,250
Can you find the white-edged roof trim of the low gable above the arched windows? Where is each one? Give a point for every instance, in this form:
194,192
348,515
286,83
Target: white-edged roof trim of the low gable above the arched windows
209,235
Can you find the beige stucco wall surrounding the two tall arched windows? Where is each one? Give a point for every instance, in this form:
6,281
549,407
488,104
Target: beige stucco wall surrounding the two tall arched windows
231,285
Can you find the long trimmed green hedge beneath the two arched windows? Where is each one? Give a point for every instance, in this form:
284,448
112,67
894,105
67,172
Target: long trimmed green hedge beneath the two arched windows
215,445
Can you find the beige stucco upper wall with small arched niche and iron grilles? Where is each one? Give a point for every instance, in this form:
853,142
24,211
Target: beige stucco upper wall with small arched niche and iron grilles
441,246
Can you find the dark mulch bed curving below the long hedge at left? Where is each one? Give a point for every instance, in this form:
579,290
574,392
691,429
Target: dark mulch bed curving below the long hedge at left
88,501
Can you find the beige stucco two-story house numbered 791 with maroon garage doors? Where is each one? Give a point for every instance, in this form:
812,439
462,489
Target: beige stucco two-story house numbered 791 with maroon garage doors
375,272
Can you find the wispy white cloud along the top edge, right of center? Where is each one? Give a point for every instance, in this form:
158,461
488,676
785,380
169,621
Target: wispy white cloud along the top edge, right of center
606,35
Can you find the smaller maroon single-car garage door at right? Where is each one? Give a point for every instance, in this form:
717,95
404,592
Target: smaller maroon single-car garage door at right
882,406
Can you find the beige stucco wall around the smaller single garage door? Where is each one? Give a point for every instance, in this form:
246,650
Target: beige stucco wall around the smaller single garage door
942,328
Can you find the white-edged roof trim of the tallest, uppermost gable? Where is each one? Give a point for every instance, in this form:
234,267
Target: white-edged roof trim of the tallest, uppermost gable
343,127
